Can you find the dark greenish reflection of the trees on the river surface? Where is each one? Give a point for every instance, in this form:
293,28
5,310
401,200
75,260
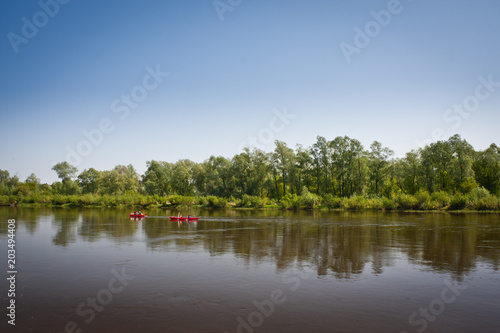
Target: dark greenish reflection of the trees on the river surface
340,244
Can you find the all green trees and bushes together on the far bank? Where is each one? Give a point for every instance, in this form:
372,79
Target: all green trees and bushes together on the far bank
338,174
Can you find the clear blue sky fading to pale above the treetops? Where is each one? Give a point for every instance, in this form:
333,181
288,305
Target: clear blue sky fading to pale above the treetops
232,69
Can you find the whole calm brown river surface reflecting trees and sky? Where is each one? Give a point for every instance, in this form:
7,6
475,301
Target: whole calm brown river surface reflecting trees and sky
98,271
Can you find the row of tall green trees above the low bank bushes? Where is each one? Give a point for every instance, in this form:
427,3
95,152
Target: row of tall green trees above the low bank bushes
338,168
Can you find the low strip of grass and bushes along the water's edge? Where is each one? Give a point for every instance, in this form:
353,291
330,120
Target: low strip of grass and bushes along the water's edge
477,200
